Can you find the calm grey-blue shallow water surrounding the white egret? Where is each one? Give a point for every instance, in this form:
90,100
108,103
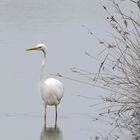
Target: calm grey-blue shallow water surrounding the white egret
58,24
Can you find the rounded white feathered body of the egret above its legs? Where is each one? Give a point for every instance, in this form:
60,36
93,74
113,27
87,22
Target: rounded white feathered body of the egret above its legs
52,91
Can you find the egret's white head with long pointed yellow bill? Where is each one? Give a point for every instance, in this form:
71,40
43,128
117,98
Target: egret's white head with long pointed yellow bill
38,47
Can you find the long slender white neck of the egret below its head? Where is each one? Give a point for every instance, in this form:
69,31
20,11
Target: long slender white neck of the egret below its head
42,74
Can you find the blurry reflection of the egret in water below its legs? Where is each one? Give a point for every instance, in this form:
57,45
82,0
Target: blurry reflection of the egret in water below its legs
51,133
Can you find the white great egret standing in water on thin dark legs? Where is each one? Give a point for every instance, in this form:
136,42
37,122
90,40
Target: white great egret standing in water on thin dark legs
51,89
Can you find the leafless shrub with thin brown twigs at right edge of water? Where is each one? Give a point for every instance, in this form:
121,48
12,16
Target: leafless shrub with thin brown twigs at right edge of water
119,72
